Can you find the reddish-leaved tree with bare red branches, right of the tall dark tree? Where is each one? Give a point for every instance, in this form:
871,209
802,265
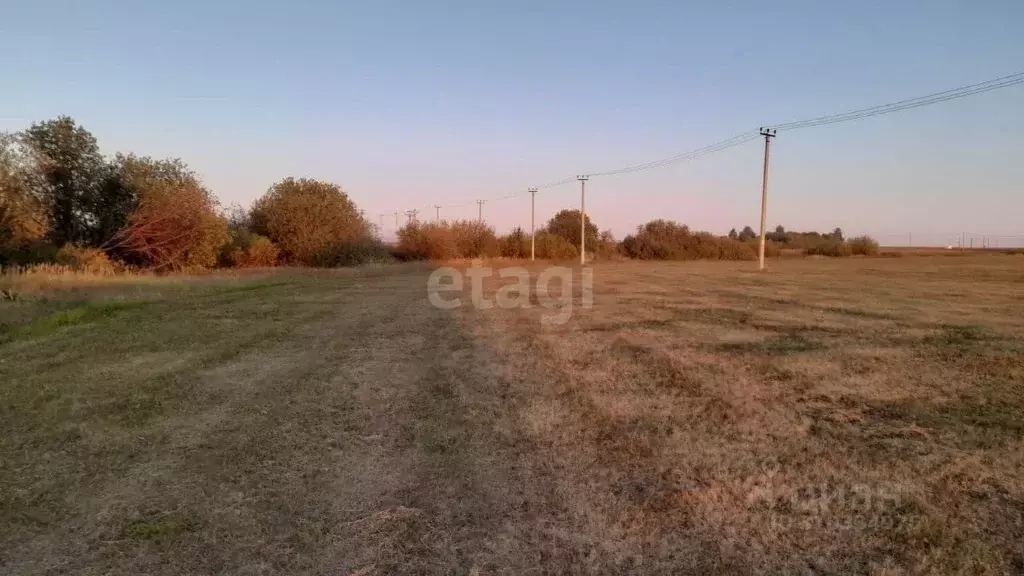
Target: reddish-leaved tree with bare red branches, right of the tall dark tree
176,222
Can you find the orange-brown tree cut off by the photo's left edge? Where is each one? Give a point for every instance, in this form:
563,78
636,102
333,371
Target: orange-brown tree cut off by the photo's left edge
23,212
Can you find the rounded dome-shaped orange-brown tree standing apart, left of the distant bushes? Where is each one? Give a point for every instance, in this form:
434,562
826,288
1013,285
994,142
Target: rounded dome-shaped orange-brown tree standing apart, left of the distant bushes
309,220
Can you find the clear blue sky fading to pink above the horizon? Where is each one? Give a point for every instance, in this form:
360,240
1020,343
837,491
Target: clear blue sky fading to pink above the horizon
410,104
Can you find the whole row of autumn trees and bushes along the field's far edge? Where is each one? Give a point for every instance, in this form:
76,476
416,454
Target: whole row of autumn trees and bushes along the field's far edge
62,200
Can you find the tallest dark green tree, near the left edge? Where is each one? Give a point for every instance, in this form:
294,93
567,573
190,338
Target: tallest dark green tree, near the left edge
73,173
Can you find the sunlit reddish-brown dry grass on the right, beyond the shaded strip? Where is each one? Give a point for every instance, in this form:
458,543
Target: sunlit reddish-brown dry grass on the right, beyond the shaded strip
852,417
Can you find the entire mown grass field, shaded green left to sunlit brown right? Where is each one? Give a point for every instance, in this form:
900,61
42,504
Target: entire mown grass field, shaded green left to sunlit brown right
858,417
